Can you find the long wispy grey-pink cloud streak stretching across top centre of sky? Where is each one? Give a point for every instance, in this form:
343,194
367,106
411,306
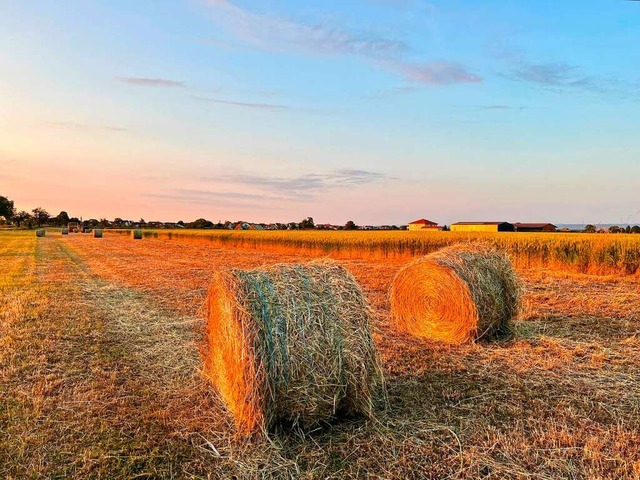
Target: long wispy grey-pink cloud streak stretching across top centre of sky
279,34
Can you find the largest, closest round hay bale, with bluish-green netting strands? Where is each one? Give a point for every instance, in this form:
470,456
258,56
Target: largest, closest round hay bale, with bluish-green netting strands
291,345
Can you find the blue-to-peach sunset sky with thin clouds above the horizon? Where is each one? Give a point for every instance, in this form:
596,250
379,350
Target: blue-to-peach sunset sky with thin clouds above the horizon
376,111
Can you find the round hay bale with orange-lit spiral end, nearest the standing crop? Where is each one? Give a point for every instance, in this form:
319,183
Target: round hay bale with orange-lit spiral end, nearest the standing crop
458,294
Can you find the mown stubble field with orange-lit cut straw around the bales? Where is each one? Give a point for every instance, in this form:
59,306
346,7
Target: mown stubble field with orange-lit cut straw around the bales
560,399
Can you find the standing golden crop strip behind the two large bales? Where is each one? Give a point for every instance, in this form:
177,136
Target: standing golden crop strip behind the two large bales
577,252
